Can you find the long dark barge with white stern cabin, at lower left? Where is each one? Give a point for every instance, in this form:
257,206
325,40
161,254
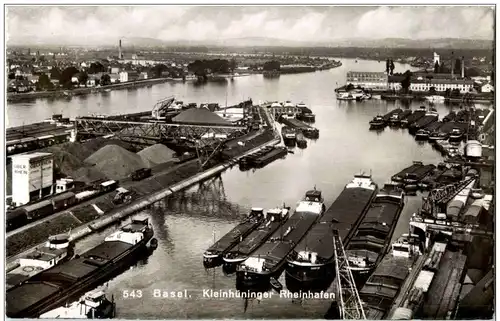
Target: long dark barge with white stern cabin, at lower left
62,283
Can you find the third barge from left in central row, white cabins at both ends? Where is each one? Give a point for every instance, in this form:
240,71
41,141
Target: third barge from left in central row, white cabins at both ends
265,265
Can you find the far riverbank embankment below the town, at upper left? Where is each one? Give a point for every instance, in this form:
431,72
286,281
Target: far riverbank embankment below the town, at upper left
15,97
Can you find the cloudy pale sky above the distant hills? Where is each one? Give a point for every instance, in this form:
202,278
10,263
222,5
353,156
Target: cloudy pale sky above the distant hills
100,24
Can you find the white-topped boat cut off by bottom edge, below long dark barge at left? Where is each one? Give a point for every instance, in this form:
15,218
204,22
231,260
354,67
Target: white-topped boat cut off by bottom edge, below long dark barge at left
93,305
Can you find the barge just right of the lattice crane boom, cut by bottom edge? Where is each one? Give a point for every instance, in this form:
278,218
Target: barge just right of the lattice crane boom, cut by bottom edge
384,284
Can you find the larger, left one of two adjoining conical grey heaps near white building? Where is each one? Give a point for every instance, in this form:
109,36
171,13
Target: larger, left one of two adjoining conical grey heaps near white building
115,162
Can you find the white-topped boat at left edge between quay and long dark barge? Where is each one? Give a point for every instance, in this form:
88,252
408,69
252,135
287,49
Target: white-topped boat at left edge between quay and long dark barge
58,249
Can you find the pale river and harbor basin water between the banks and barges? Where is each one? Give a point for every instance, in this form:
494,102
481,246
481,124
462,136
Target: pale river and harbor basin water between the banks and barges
185,224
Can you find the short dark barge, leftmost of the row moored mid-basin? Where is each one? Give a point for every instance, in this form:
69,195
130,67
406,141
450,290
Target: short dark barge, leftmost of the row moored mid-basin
213,255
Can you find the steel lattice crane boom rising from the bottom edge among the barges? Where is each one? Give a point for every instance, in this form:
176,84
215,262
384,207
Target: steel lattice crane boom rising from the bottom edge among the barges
347,296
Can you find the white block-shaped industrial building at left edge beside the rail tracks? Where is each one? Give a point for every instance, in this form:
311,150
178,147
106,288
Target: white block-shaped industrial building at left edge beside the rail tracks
32,177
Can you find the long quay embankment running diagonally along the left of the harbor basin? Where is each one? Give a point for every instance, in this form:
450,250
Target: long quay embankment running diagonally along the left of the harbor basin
82,222
